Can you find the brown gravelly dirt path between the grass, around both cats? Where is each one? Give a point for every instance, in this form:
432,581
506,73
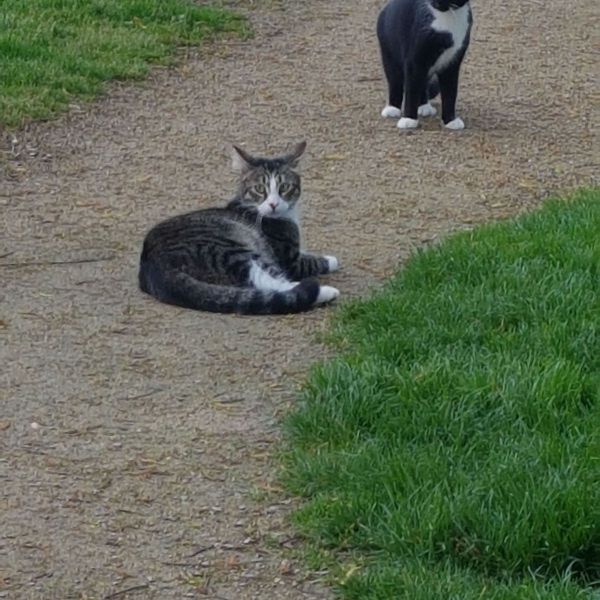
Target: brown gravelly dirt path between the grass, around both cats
136,438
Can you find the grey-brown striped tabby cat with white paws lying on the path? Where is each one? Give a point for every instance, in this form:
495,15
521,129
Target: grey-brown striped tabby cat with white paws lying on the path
242,258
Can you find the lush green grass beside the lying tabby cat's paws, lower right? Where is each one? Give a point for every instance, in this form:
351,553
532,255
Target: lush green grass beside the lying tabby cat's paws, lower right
452,450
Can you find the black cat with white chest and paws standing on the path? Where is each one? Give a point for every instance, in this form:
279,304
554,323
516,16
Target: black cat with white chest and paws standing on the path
423,43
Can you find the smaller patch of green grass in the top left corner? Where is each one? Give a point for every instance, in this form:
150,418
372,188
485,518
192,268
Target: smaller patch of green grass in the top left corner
55,51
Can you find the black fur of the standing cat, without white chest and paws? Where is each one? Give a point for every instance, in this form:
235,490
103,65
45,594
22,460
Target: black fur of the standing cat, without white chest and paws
410,48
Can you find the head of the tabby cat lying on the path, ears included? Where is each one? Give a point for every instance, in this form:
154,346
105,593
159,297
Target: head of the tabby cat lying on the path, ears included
271,184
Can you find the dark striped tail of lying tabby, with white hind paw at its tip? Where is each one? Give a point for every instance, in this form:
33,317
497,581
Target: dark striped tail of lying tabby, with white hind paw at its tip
181,289
